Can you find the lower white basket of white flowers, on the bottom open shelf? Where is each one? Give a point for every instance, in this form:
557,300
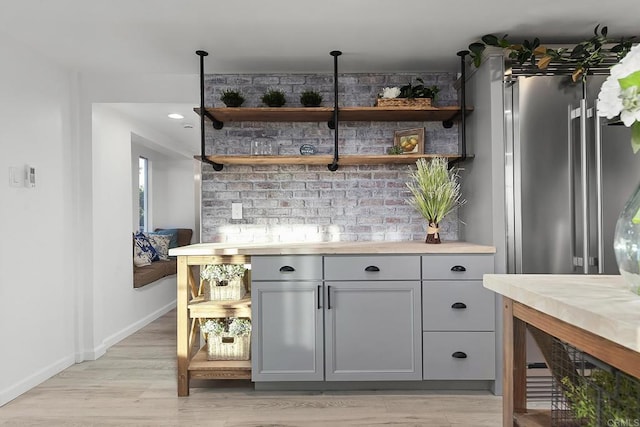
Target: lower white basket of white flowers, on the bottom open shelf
227,339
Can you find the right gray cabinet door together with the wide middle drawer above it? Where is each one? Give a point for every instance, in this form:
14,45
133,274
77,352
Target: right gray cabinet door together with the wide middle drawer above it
372,320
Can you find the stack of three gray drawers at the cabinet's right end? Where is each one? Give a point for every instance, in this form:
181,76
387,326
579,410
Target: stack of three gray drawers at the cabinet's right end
458,318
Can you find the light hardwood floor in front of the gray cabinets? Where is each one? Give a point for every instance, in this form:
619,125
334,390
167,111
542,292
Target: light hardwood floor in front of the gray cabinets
134,384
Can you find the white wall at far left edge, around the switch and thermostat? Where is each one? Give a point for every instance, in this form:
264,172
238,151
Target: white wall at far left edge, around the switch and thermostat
38,246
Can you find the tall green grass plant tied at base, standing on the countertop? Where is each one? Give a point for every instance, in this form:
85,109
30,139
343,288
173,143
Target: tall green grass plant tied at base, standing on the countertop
435,193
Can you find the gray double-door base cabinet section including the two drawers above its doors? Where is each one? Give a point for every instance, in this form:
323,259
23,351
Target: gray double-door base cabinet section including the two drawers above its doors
358,328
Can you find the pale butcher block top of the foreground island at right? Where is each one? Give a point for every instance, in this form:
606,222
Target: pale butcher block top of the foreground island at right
600,304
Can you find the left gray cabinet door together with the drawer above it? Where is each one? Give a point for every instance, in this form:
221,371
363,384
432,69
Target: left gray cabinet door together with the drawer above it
287,337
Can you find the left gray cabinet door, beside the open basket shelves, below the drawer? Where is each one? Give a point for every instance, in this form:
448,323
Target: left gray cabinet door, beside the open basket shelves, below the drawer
287,331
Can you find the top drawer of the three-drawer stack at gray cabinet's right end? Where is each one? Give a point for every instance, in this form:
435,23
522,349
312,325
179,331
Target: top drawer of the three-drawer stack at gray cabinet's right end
461,267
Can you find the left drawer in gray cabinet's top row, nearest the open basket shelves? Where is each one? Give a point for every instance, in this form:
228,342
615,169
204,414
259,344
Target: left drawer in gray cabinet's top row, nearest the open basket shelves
286,267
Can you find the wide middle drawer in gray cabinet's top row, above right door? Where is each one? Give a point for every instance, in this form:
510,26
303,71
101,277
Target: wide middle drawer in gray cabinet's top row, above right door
372,267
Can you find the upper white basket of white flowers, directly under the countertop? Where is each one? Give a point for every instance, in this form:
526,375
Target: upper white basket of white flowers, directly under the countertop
223,282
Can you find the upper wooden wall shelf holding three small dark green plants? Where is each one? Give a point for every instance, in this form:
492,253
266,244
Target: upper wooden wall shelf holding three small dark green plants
325,114
